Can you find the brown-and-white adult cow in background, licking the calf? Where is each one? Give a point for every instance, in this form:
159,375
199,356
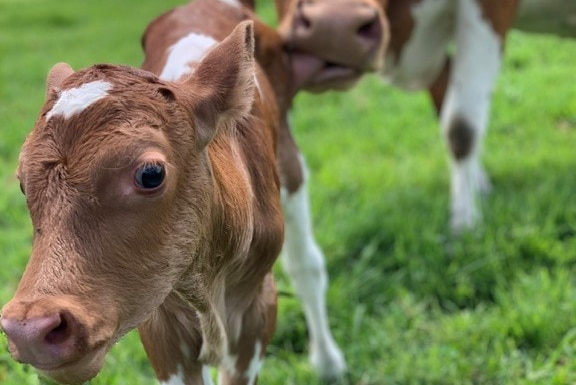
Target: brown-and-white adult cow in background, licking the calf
422,34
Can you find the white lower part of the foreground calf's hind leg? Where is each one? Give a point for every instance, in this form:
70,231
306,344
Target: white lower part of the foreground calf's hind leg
304,263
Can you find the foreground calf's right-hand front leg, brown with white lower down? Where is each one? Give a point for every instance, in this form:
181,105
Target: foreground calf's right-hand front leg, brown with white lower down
251,331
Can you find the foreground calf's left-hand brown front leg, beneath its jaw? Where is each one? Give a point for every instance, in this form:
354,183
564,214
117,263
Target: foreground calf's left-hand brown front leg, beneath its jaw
172,340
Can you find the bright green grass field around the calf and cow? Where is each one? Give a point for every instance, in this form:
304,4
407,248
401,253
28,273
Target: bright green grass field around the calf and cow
409,304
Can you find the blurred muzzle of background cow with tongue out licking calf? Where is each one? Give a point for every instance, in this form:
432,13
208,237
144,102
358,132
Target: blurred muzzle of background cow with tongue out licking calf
333,42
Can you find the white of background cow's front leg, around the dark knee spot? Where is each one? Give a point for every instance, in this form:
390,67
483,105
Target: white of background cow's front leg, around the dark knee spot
476,66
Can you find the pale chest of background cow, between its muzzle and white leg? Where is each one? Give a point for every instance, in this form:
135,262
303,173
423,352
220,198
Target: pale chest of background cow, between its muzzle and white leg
422,57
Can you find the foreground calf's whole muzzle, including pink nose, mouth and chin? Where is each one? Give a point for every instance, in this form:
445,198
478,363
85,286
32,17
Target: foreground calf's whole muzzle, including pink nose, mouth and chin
52,335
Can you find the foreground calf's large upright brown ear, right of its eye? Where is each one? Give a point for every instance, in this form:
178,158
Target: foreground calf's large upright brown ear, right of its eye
224,82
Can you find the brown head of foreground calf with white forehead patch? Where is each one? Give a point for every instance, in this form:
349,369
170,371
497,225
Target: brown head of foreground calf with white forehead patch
118,186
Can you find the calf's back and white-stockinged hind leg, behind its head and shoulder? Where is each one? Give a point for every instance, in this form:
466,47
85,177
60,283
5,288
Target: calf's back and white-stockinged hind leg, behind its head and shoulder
183,33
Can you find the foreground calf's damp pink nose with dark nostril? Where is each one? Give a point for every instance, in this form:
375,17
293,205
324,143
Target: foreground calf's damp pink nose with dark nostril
44,341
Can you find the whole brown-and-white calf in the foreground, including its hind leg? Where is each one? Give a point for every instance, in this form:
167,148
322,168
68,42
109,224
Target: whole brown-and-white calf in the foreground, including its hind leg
65,328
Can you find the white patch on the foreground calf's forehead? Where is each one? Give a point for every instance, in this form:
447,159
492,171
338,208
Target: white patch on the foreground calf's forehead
75,100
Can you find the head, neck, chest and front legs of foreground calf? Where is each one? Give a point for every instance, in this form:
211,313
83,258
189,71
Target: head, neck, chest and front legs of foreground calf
155,204
